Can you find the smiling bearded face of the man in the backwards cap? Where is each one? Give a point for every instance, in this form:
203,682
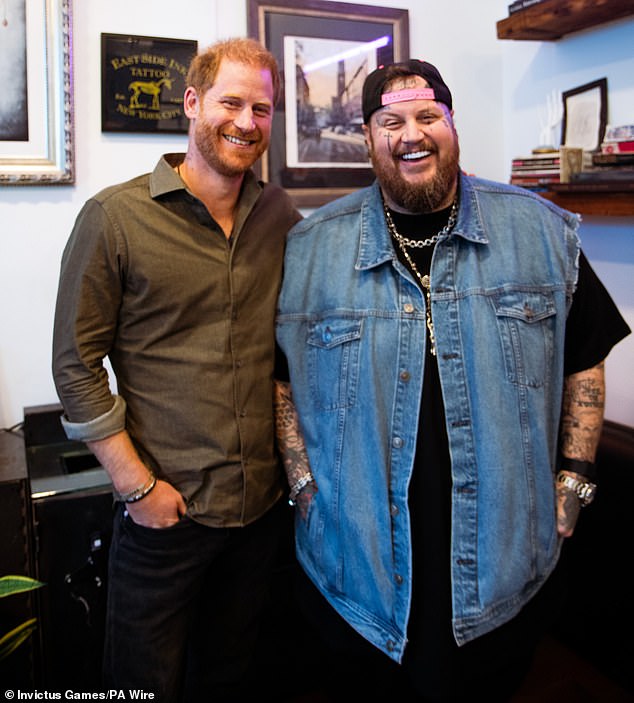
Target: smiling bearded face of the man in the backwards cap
414,150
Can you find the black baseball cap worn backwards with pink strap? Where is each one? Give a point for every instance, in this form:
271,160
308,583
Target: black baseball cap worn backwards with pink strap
376,81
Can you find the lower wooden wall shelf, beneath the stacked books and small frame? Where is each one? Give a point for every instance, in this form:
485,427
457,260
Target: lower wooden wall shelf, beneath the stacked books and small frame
594,200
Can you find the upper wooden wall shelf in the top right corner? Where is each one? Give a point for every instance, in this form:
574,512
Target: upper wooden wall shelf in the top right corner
552,19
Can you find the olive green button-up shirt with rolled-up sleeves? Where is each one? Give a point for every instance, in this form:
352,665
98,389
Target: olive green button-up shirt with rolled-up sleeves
186,318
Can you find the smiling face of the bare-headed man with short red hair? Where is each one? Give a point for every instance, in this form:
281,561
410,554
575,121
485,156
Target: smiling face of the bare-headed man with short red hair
231,122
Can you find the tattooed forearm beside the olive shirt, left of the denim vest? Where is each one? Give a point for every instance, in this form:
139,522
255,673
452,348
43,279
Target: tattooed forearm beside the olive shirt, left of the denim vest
288,434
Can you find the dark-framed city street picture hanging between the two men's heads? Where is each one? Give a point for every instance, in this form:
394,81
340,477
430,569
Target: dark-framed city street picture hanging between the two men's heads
317,152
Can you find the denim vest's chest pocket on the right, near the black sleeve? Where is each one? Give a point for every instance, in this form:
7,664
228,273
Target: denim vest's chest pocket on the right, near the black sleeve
526,322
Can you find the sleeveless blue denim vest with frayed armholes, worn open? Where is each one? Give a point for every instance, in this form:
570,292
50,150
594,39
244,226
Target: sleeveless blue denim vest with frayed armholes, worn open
351,321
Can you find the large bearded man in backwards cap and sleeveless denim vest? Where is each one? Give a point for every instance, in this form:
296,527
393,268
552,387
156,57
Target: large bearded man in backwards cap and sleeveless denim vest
445,340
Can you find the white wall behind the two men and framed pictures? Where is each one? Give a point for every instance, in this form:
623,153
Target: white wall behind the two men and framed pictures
499,88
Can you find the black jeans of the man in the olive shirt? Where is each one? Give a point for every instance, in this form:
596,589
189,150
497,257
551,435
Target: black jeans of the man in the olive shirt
183,607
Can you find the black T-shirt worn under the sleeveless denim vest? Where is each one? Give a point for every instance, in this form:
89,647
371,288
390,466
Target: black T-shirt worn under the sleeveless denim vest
433,659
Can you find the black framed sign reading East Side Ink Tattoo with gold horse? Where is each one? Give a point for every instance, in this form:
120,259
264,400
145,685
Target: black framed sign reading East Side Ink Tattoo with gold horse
143,82
